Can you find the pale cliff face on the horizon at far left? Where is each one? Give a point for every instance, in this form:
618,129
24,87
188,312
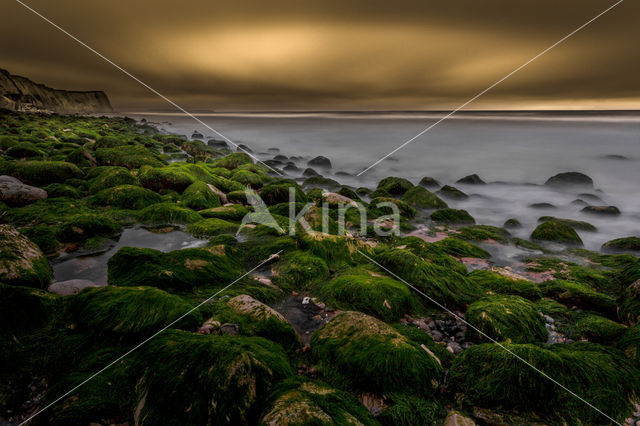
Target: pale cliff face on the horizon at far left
21,94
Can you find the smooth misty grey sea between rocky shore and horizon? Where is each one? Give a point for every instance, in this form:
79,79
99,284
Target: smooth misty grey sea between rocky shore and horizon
514,153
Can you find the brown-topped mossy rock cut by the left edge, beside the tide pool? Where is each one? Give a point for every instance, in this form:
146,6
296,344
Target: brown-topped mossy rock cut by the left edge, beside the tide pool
21,261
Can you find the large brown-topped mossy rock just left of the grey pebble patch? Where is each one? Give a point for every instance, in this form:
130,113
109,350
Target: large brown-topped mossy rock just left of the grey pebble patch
373,356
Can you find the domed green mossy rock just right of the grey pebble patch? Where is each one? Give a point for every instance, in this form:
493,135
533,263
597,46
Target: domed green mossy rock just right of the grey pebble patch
506,319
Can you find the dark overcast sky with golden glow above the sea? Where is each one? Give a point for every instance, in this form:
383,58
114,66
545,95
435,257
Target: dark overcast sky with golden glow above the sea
251,55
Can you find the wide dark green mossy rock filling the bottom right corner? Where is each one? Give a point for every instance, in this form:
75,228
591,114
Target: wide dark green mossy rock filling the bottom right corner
488,376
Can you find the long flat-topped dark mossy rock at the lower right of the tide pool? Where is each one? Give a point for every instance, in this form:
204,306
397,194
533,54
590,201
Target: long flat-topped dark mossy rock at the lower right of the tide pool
179,270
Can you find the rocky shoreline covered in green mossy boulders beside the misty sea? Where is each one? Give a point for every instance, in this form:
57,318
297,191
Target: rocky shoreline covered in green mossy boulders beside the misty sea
325,332
